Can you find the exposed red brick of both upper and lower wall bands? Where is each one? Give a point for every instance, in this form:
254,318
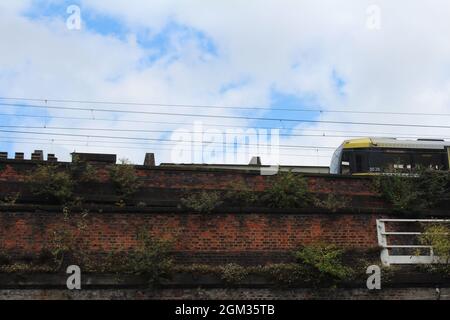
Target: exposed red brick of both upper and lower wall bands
197,238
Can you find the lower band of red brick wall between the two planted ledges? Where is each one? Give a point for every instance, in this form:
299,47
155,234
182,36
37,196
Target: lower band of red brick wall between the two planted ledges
227,234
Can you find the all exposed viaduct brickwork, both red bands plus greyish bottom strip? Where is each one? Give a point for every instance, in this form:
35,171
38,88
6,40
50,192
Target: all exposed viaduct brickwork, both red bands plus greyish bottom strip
227,235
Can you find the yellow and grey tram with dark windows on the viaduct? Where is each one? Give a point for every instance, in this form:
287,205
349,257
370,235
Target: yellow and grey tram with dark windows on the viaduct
389,155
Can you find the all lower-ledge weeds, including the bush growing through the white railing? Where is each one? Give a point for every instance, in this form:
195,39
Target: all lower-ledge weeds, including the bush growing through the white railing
317,265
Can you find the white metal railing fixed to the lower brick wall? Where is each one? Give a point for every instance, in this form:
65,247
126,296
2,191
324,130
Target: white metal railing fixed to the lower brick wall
383,240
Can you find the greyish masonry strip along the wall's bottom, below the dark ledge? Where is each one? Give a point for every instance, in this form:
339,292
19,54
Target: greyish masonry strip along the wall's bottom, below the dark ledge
411,293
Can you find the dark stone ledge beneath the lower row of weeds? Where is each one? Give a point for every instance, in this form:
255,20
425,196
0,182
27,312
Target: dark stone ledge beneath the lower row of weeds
188,280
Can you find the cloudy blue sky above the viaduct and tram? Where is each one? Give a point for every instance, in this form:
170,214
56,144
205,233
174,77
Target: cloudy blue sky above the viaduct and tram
157,61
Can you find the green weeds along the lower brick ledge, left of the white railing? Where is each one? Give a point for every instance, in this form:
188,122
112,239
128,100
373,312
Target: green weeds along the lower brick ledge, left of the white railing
317,265
